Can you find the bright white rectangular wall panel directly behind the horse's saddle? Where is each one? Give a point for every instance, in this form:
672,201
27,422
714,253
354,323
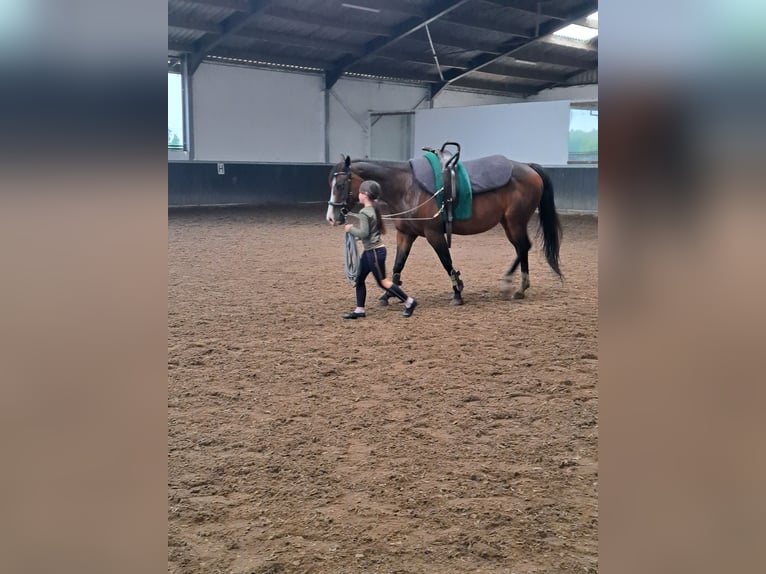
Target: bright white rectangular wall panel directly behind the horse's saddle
529,132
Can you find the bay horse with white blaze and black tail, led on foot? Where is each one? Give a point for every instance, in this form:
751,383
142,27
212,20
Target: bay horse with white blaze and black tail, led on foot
415,213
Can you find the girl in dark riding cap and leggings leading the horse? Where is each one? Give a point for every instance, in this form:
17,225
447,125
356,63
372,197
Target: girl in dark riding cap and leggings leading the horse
373,259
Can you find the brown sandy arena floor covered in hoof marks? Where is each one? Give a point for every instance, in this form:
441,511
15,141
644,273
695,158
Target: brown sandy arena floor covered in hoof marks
463,439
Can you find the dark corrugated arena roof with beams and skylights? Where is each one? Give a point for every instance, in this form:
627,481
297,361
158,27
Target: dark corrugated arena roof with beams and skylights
478,42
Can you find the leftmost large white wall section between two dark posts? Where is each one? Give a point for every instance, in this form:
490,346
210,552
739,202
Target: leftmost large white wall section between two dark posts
242,114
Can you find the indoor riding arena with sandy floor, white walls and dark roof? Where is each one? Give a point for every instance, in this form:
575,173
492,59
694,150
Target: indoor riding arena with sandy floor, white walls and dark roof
462,439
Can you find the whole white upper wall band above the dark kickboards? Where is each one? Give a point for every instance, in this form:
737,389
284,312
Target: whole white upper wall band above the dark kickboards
254,115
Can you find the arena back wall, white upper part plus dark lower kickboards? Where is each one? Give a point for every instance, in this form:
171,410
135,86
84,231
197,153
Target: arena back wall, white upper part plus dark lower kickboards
277,135
